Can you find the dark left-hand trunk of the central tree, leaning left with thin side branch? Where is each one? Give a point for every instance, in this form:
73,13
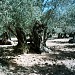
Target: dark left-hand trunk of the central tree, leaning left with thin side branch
22,45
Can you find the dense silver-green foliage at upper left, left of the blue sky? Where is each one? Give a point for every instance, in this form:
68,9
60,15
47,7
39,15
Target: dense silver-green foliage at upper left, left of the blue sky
19,13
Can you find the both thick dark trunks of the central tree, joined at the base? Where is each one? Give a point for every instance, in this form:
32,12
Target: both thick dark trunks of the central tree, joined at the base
35,41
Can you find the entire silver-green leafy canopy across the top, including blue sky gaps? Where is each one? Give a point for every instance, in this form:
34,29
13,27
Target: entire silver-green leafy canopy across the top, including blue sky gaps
55,13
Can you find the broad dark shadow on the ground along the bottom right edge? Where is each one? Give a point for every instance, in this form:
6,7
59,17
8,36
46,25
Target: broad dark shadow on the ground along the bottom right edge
52,70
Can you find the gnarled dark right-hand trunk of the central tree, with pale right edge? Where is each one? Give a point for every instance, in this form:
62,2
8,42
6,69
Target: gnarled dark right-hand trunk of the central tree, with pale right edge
37,38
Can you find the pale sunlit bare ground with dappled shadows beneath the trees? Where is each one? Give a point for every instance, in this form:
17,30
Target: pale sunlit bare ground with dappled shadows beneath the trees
58,59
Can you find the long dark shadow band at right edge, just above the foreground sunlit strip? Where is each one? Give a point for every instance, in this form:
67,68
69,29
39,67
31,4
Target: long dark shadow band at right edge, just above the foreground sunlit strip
63,55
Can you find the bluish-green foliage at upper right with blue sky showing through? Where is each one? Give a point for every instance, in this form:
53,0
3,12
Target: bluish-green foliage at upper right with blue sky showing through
60,15
